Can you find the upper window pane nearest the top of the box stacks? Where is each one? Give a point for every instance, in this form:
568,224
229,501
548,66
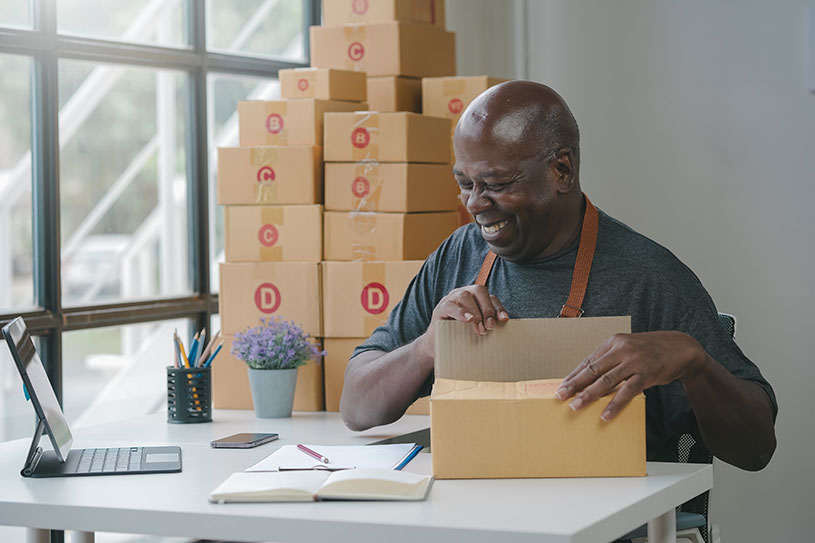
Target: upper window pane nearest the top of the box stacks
272,28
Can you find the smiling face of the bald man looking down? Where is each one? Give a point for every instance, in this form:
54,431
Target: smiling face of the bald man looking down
524,197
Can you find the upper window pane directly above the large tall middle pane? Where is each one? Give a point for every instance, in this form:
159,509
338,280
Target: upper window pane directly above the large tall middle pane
155,22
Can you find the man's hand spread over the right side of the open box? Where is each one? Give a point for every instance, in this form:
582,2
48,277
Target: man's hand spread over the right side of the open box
633,362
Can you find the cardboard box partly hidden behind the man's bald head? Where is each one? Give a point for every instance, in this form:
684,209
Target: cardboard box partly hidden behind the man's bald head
448,97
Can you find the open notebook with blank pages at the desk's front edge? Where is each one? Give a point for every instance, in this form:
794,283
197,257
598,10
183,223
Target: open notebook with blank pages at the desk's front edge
314,485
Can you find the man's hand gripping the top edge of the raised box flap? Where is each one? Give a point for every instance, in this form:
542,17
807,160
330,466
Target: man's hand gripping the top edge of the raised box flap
473,304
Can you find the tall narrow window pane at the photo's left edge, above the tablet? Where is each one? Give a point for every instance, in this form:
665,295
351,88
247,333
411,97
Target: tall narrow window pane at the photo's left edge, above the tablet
16,242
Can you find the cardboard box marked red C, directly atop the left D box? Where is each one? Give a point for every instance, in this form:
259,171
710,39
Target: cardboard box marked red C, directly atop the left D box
273,233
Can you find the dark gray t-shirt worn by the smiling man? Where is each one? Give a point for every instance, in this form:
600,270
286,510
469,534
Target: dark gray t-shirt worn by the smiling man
630,275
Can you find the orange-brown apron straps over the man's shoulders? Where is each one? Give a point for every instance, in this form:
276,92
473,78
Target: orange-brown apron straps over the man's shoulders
582,266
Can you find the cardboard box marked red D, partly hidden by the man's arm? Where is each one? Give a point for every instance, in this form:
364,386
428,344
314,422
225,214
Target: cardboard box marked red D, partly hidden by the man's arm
359,296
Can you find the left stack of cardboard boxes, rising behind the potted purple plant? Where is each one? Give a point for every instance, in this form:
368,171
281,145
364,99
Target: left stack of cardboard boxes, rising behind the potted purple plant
271,187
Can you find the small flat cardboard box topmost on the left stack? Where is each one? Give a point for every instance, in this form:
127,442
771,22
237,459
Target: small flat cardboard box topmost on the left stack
323,84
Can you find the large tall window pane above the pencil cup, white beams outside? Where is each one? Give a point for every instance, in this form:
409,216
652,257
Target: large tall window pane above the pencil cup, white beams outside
123,183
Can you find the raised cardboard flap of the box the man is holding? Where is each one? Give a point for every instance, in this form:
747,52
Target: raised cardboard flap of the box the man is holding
521,349
